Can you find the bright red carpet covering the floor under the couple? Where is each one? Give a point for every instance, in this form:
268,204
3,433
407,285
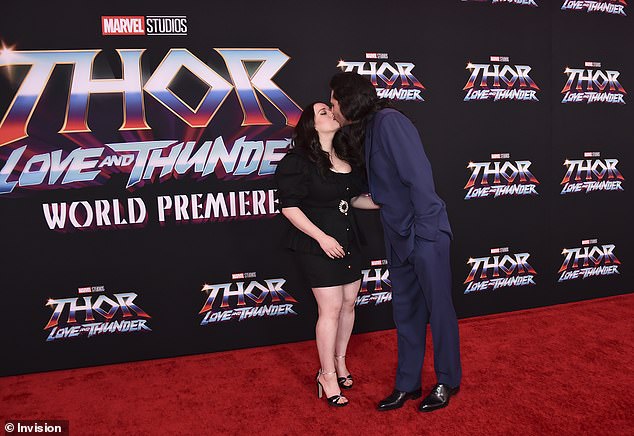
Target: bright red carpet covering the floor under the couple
564,369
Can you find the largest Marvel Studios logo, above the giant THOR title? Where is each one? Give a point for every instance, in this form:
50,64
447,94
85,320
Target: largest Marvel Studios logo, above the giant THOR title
151,25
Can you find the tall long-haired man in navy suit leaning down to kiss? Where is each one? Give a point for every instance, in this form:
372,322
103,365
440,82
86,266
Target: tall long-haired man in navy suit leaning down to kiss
417,237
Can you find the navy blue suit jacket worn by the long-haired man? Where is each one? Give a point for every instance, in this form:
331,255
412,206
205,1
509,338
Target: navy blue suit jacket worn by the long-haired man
400,181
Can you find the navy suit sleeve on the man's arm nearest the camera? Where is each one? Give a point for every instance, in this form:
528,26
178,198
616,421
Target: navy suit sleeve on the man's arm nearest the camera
403,146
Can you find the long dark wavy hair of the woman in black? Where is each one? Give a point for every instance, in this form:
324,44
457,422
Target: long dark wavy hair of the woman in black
306,142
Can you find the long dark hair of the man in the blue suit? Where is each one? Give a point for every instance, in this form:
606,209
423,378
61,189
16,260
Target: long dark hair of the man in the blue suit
357,101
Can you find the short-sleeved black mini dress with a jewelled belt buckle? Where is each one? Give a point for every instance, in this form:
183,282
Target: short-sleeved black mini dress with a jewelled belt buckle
325,200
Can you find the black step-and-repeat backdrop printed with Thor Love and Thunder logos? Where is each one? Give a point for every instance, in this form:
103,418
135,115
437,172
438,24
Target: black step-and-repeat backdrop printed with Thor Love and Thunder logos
138,141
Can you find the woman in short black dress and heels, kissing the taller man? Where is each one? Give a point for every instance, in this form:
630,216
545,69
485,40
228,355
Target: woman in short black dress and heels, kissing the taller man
318,180
